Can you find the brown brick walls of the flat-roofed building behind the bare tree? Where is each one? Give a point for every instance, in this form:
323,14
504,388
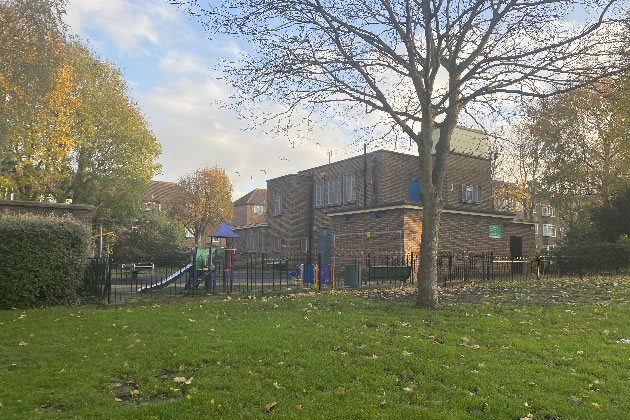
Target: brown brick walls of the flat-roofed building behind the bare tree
387,175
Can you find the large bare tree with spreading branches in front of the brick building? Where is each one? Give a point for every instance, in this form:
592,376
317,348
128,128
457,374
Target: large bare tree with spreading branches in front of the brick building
417,63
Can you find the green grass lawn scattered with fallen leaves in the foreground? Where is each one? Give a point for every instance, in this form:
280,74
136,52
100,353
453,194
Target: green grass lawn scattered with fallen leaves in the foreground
326,356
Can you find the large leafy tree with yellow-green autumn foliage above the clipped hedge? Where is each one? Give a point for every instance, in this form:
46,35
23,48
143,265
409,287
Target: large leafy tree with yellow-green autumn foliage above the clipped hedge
67,125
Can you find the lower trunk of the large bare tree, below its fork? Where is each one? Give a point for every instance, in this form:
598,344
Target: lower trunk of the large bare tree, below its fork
427,267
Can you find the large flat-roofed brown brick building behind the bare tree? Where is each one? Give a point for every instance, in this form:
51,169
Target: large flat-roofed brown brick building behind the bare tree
370,204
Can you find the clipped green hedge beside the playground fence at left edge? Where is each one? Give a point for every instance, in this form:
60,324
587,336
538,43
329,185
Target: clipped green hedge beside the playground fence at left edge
42,260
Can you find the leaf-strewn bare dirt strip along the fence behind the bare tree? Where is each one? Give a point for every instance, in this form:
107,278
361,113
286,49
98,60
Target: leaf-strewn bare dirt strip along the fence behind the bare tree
573,291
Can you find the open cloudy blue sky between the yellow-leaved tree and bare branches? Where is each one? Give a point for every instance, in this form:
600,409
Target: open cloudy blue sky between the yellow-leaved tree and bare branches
169,64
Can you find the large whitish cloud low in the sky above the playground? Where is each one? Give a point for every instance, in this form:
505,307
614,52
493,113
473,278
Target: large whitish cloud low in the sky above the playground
195,132
